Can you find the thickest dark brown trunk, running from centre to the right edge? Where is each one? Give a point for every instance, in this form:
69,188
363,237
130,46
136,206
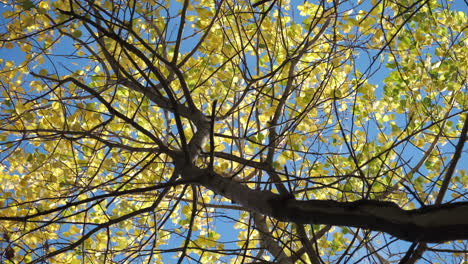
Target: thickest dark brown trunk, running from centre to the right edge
435,223
